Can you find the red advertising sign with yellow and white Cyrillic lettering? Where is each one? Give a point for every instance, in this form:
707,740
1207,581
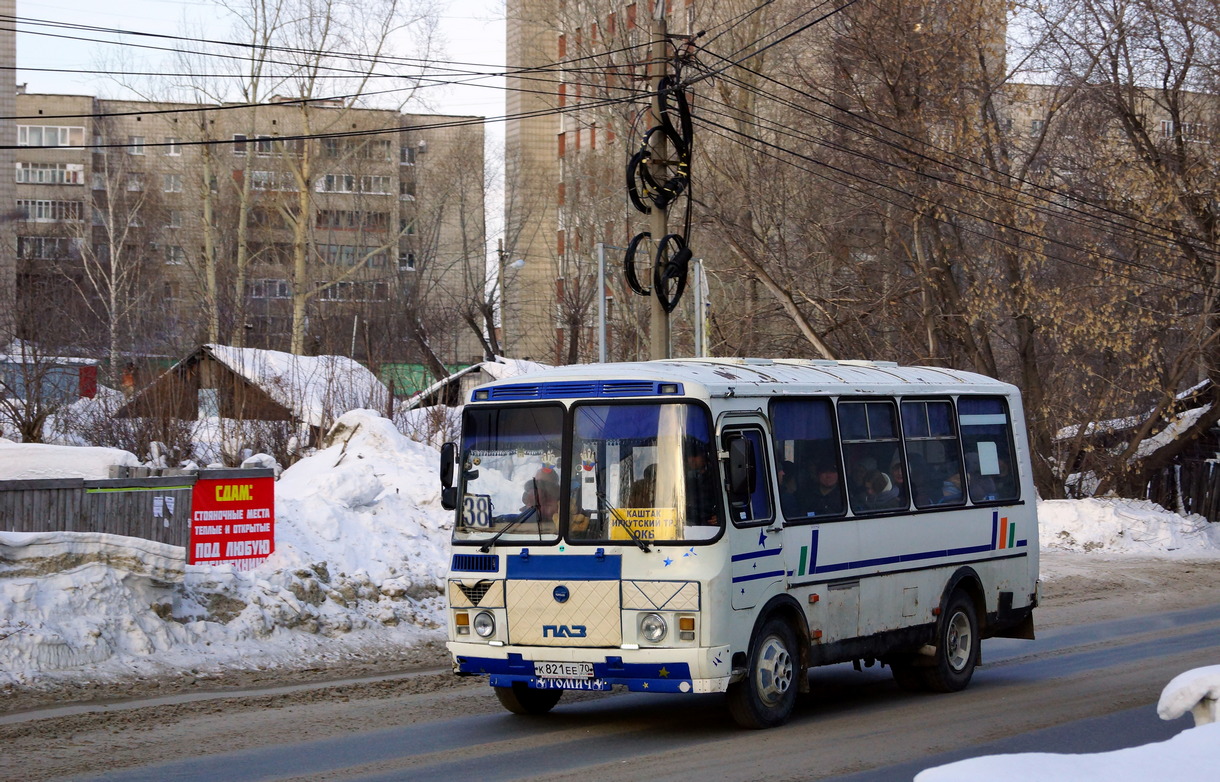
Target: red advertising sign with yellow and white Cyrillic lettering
232,522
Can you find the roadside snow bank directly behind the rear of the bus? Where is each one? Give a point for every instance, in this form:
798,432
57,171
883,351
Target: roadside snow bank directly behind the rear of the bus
1123,526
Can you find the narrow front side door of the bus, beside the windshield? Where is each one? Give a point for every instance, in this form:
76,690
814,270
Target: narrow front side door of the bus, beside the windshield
755,531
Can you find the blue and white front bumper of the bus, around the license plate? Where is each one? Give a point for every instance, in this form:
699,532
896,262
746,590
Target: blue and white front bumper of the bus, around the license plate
695,670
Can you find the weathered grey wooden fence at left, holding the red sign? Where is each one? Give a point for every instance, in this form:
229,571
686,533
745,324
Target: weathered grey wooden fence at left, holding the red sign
156,508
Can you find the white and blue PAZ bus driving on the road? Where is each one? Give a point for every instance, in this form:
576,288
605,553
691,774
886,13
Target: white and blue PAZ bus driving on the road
724,525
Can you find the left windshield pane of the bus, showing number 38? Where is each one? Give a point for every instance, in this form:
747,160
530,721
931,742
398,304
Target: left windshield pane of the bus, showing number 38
511,474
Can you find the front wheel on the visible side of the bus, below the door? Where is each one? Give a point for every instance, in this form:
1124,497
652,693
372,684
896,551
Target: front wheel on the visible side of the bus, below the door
767,696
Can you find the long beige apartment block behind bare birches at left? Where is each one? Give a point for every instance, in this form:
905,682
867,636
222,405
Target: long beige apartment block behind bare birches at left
232,213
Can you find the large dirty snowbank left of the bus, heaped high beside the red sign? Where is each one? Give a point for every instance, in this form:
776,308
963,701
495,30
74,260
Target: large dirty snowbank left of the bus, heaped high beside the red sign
361,557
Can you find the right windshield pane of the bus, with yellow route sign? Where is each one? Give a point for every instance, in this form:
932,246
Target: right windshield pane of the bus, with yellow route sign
644,474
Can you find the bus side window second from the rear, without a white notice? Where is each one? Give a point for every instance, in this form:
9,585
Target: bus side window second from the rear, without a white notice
933,453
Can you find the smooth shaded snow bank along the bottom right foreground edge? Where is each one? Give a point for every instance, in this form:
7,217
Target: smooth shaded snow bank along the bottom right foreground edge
1189,757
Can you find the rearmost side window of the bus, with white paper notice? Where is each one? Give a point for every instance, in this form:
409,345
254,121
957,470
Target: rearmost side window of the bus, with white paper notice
988,441
